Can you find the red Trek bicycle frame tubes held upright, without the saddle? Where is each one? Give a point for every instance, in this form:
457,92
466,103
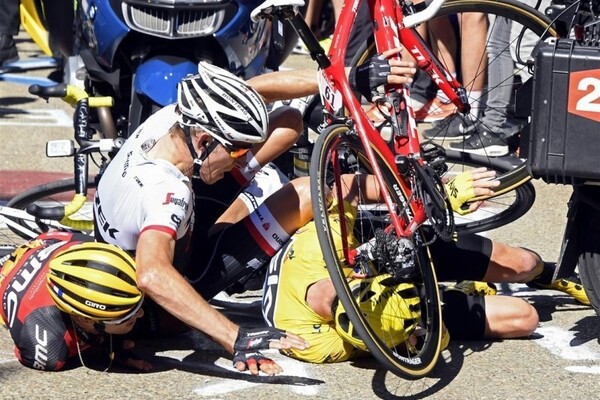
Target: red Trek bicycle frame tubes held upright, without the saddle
390,33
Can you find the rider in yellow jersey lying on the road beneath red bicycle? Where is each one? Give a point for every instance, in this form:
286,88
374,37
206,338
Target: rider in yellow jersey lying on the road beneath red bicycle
299,295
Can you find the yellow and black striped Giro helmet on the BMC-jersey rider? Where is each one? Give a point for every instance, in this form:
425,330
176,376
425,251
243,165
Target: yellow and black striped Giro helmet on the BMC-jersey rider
95,280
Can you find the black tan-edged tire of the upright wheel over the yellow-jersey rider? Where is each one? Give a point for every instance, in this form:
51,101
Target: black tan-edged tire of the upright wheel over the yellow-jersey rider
415,367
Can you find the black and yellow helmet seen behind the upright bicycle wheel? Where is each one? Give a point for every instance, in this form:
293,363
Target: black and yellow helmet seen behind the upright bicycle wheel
392,309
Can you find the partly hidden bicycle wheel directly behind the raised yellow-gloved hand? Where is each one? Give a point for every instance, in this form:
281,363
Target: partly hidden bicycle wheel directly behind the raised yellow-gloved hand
514,196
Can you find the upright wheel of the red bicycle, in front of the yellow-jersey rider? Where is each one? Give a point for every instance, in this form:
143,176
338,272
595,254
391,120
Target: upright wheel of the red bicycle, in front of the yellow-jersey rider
338,151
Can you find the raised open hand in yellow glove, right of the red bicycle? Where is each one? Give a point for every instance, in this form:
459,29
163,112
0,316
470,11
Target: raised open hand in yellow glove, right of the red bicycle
468,185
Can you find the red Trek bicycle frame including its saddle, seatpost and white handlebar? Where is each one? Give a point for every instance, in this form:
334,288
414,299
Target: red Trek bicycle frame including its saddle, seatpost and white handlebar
392,30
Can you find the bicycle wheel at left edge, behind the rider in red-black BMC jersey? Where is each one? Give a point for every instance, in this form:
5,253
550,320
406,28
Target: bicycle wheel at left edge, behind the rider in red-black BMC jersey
57,193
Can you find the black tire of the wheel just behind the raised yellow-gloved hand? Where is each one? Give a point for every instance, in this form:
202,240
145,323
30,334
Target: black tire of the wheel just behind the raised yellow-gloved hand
516,180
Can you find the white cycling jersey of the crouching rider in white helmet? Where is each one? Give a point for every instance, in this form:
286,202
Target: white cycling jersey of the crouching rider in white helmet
136,193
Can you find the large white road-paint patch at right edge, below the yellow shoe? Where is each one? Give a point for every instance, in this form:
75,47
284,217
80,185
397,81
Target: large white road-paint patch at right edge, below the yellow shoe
563,344
